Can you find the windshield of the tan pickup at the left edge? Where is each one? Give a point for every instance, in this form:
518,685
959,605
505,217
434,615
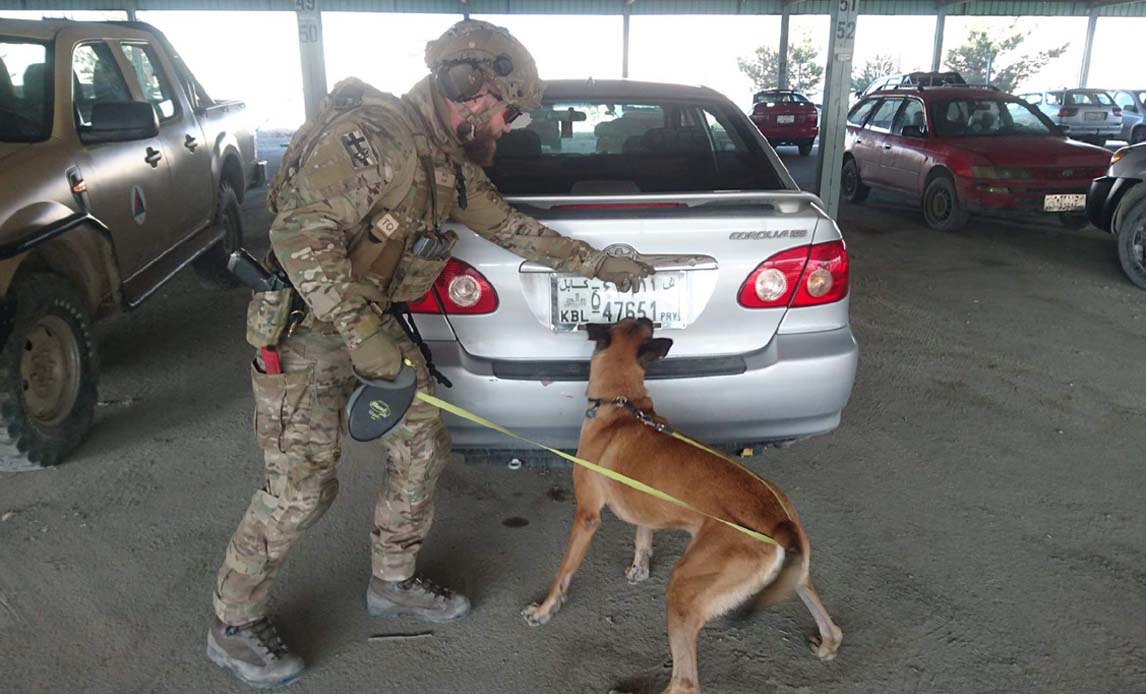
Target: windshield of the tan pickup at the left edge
26,91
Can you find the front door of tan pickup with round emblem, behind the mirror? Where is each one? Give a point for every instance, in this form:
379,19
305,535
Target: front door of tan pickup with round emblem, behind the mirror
129,185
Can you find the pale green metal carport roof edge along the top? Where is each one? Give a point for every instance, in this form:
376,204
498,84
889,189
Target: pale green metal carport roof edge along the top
952,9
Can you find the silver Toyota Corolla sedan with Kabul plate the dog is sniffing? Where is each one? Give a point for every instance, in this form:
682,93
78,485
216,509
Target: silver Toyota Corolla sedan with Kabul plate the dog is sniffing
751,279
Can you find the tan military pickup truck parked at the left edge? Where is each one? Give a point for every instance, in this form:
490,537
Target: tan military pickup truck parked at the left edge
116,171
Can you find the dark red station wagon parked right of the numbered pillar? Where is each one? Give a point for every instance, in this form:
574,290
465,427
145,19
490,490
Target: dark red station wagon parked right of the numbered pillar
962,151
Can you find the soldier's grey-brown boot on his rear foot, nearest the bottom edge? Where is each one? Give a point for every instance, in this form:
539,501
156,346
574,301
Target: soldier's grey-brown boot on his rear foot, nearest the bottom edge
254,653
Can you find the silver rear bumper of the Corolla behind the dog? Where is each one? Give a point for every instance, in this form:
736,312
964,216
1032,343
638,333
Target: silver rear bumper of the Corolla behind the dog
795,388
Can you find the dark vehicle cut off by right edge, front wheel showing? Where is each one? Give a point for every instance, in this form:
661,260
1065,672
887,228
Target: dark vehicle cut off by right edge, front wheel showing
1118,204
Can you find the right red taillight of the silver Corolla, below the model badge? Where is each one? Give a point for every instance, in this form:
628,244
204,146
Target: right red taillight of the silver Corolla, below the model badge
799,278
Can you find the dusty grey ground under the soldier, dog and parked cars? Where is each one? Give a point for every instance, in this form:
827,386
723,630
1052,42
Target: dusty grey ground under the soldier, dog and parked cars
977,522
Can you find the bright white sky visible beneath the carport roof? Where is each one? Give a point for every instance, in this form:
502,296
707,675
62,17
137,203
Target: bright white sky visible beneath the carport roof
261,64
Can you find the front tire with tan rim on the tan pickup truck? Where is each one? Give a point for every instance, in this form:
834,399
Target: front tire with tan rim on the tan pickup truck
49,374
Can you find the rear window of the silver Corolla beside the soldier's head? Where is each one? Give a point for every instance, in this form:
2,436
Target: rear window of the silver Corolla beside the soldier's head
614,148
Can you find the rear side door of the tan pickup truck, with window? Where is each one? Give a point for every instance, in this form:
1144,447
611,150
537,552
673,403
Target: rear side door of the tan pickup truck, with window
189,155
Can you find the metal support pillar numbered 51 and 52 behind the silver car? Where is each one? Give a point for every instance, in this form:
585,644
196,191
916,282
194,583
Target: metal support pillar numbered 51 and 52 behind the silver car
837,89
